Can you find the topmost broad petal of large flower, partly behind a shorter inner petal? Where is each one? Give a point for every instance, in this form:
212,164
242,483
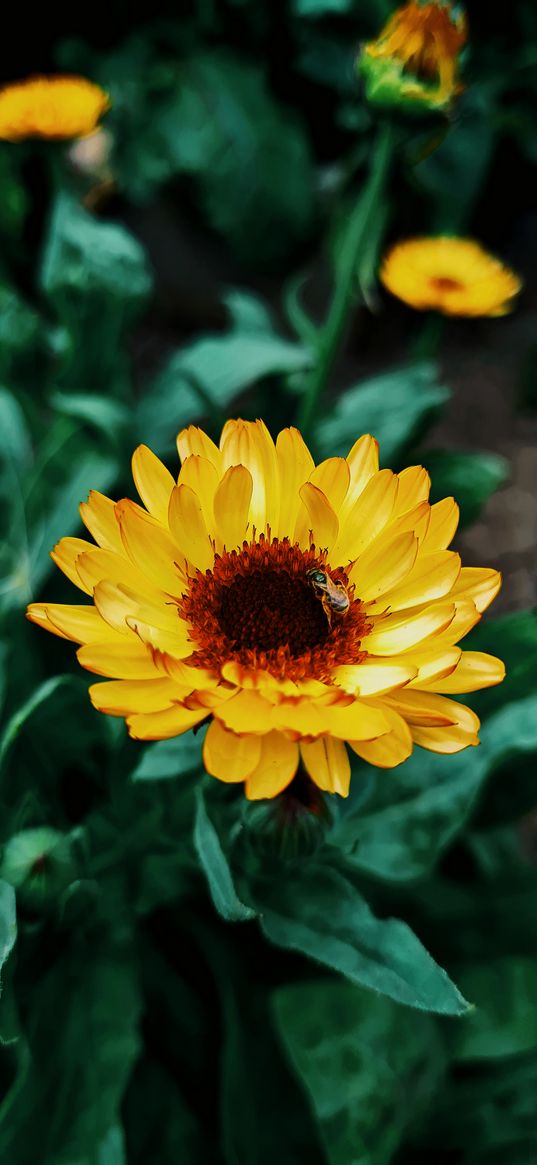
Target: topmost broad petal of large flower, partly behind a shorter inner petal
250,444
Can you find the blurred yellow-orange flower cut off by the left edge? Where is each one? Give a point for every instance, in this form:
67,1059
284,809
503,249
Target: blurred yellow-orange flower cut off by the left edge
58,108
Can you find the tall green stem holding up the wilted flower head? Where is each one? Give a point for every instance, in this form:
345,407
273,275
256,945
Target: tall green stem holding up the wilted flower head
352,244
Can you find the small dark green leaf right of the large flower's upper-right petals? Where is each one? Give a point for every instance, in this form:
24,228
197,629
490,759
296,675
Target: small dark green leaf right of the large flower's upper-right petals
471,478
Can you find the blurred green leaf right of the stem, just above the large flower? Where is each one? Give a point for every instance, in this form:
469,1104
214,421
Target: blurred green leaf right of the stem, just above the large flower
394,407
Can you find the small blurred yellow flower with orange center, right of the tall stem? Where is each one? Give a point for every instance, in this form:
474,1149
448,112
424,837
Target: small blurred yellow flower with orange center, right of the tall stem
455,277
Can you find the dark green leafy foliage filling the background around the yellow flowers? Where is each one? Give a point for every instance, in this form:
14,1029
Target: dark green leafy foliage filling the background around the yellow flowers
182,982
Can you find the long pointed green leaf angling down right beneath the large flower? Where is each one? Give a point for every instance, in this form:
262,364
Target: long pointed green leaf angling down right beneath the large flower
320,913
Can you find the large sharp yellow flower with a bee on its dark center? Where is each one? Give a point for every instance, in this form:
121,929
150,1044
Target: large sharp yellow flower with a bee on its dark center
204,606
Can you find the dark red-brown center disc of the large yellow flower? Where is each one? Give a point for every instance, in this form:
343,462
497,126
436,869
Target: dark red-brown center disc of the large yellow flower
259,608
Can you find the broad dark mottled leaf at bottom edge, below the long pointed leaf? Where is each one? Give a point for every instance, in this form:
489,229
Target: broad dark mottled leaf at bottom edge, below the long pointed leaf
369,1067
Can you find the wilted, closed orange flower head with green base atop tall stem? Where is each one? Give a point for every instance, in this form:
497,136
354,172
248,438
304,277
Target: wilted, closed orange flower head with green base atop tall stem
415,60
